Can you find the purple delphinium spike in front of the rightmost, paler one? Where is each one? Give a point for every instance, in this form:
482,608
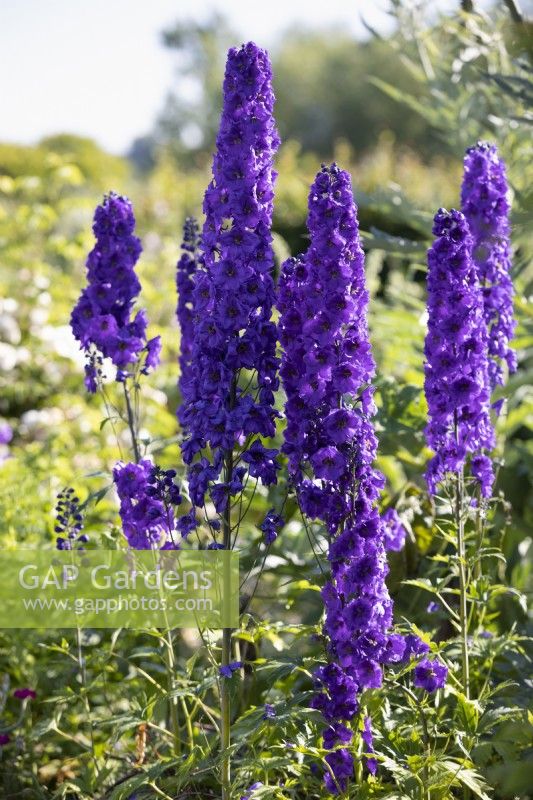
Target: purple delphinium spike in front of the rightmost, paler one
457,382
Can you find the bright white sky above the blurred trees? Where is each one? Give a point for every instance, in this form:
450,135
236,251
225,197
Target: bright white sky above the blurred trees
97,67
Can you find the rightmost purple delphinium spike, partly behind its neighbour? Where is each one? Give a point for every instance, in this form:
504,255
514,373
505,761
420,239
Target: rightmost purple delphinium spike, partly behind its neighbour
485,204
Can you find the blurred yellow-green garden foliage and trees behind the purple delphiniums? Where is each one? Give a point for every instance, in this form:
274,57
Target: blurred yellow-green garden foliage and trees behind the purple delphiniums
398,113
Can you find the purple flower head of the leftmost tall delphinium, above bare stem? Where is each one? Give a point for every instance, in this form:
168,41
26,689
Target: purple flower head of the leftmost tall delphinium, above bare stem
101,319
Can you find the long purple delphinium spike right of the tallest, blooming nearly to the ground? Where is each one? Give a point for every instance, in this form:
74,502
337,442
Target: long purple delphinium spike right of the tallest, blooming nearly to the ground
327,367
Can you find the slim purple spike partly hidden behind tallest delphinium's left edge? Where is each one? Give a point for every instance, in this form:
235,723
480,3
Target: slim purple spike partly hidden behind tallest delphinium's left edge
185,273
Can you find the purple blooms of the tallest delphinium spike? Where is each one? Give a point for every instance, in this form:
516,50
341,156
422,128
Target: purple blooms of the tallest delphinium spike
228,391
